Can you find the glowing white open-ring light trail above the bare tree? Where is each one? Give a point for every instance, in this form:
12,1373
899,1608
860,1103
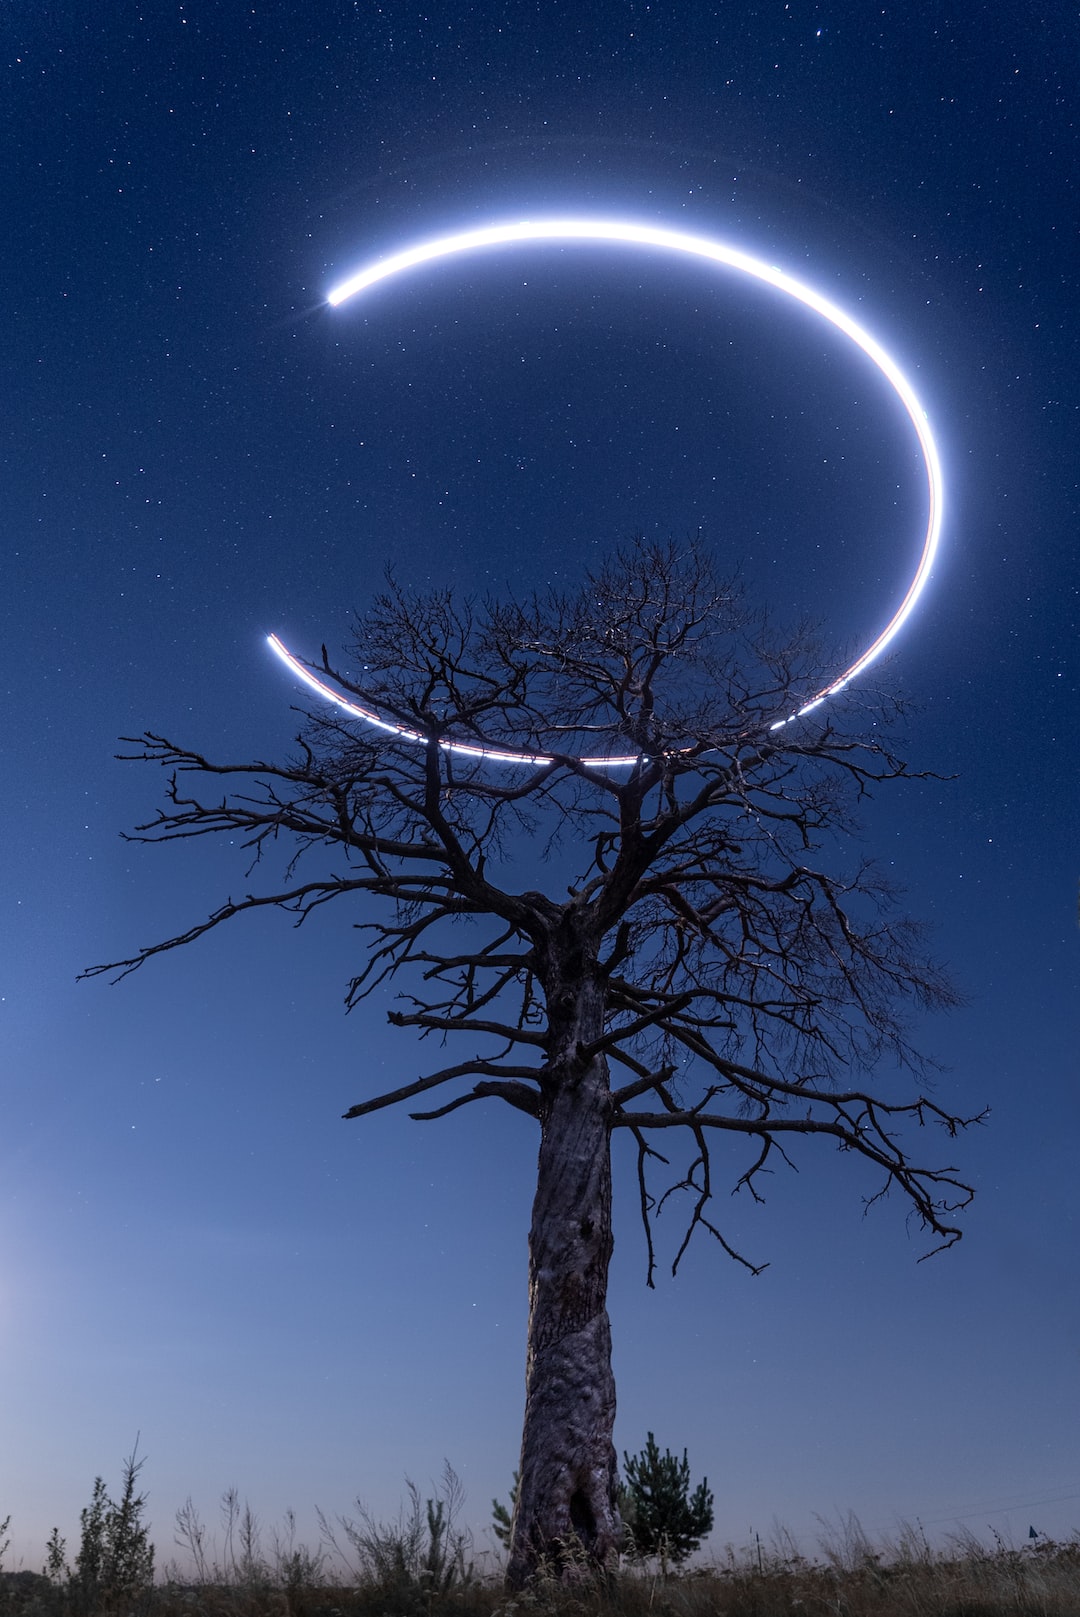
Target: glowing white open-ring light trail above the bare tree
639,235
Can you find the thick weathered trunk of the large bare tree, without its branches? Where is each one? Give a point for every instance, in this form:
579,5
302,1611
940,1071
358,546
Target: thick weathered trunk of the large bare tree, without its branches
567,1514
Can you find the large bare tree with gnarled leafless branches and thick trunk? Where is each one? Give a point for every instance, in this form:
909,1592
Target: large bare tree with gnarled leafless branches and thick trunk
702,950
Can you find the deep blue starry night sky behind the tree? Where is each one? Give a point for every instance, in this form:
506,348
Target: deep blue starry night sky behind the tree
198,450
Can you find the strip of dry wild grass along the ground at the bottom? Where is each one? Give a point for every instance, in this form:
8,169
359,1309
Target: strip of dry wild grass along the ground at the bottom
423,1568
